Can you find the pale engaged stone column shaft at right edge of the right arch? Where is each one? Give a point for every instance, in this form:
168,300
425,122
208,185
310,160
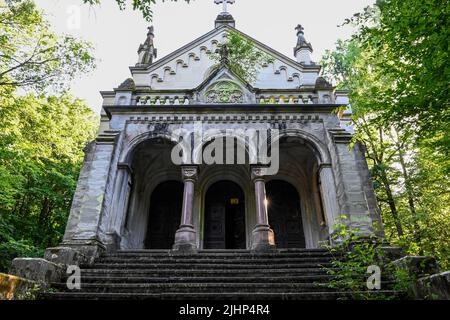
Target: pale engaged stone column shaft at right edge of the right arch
328,193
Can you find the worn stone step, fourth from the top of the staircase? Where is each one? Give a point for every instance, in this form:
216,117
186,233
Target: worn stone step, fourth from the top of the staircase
202,272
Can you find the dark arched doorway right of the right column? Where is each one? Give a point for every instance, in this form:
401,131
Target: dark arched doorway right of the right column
285,216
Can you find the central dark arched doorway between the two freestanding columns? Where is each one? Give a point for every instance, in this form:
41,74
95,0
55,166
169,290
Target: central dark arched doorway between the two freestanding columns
224,217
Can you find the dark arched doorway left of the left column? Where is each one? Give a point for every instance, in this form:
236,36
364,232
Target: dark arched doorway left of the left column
165,215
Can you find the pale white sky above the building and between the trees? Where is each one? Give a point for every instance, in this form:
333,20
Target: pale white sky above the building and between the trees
117,34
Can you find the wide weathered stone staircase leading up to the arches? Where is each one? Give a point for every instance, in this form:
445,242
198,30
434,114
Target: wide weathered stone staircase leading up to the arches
289,274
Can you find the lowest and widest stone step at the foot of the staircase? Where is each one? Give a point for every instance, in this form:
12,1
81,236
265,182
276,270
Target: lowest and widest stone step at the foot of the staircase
221,296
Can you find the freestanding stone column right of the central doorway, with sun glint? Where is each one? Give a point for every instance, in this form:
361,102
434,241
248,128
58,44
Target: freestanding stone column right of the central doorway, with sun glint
262,236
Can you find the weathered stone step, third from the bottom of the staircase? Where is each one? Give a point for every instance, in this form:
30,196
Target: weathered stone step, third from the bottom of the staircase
127,278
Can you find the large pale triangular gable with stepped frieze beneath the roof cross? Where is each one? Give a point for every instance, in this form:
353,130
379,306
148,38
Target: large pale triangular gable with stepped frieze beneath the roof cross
189,66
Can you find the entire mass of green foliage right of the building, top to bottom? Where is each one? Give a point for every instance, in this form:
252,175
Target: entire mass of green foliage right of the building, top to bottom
393,67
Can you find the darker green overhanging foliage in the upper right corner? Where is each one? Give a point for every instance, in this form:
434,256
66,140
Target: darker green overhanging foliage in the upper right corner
409,41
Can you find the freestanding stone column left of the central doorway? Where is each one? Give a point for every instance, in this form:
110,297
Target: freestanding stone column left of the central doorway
185,237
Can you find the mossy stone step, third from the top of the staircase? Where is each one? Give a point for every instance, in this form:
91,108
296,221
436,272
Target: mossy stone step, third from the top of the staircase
190,266
